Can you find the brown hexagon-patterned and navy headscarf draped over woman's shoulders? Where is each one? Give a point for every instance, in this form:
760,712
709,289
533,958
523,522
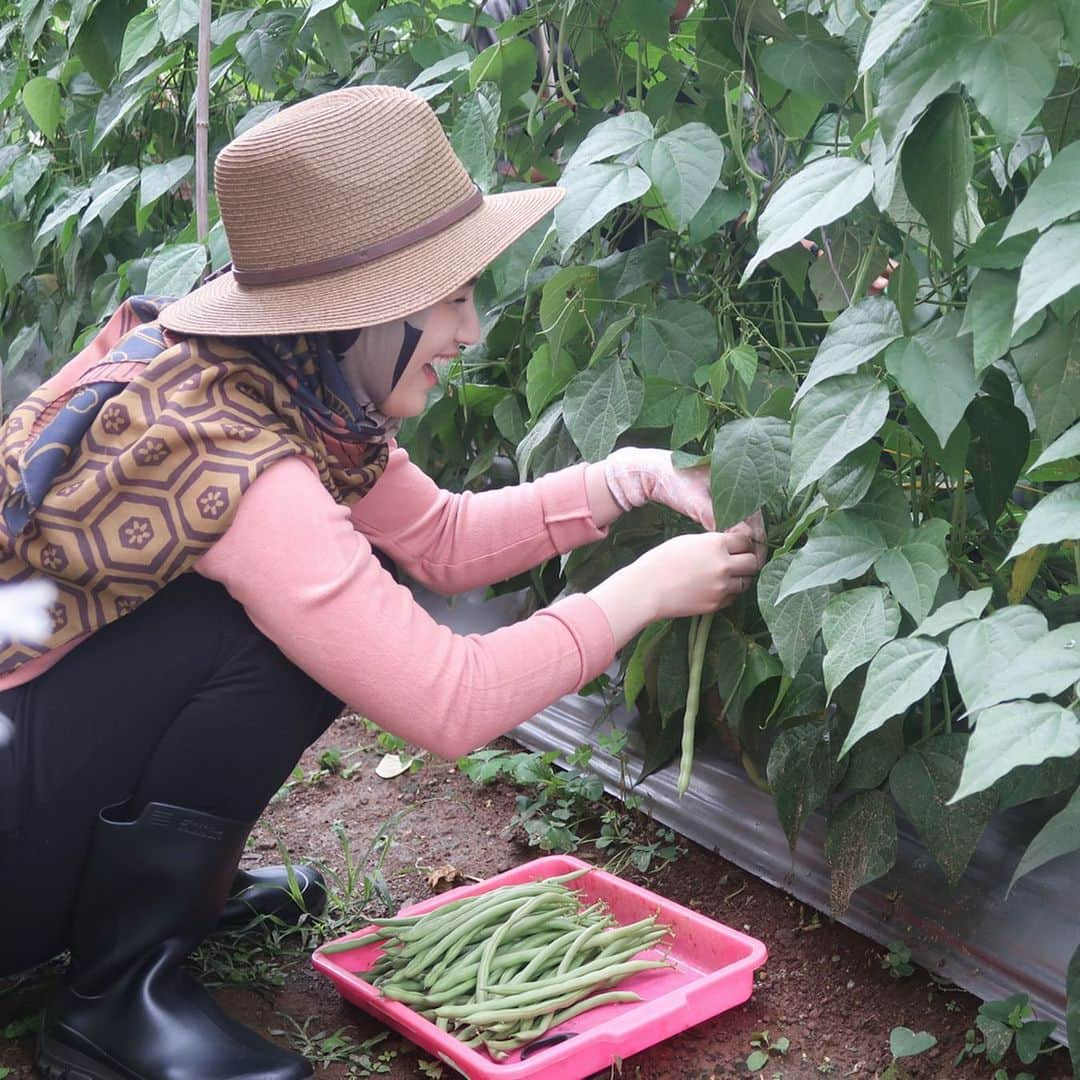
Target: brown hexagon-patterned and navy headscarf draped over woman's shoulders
117,485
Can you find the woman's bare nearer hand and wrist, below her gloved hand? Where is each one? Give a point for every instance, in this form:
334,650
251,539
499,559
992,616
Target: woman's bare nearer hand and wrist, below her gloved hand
690,575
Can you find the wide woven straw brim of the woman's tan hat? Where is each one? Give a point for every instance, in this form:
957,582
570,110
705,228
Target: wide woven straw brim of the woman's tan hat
380,292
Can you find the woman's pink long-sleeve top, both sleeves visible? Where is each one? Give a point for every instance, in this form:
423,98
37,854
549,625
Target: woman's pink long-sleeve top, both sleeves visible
303,568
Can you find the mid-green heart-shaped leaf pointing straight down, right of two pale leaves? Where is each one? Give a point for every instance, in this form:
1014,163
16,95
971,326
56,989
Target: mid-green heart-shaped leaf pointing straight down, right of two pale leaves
937,372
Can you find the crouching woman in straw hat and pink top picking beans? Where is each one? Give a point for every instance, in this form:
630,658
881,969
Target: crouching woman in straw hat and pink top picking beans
246,434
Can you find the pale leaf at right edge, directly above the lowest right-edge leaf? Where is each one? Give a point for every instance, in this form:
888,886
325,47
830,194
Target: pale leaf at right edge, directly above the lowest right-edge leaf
1019,733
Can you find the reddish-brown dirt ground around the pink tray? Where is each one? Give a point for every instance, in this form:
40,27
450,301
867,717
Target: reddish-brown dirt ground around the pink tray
825,989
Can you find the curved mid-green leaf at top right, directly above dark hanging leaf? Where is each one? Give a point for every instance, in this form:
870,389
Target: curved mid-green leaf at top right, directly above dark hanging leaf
923,65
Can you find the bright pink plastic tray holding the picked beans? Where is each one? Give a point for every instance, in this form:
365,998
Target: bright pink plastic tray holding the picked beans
713,971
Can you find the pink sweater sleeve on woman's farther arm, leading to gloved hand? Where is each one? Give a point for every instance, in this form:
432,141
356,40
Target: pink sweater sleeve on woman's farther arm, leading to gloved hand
455,543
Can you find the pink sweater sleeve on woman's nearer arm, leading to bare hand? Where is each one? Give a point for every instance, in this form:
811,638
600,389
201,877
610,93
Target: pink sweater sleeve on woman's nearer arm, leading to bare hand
309,580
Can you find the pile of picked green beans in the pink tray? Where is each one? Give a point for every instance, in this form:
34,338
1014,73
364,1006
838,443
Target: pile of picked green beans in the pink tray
499,969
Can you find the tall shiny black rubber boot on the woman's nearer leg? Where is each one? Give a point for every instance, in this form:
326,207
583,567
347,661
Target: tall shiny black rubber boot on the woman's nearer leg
153,889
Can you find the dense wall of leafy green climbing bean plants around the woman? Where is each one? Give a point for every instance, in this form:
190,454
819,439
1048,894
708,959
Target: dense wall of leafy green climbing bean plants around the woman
831,248
